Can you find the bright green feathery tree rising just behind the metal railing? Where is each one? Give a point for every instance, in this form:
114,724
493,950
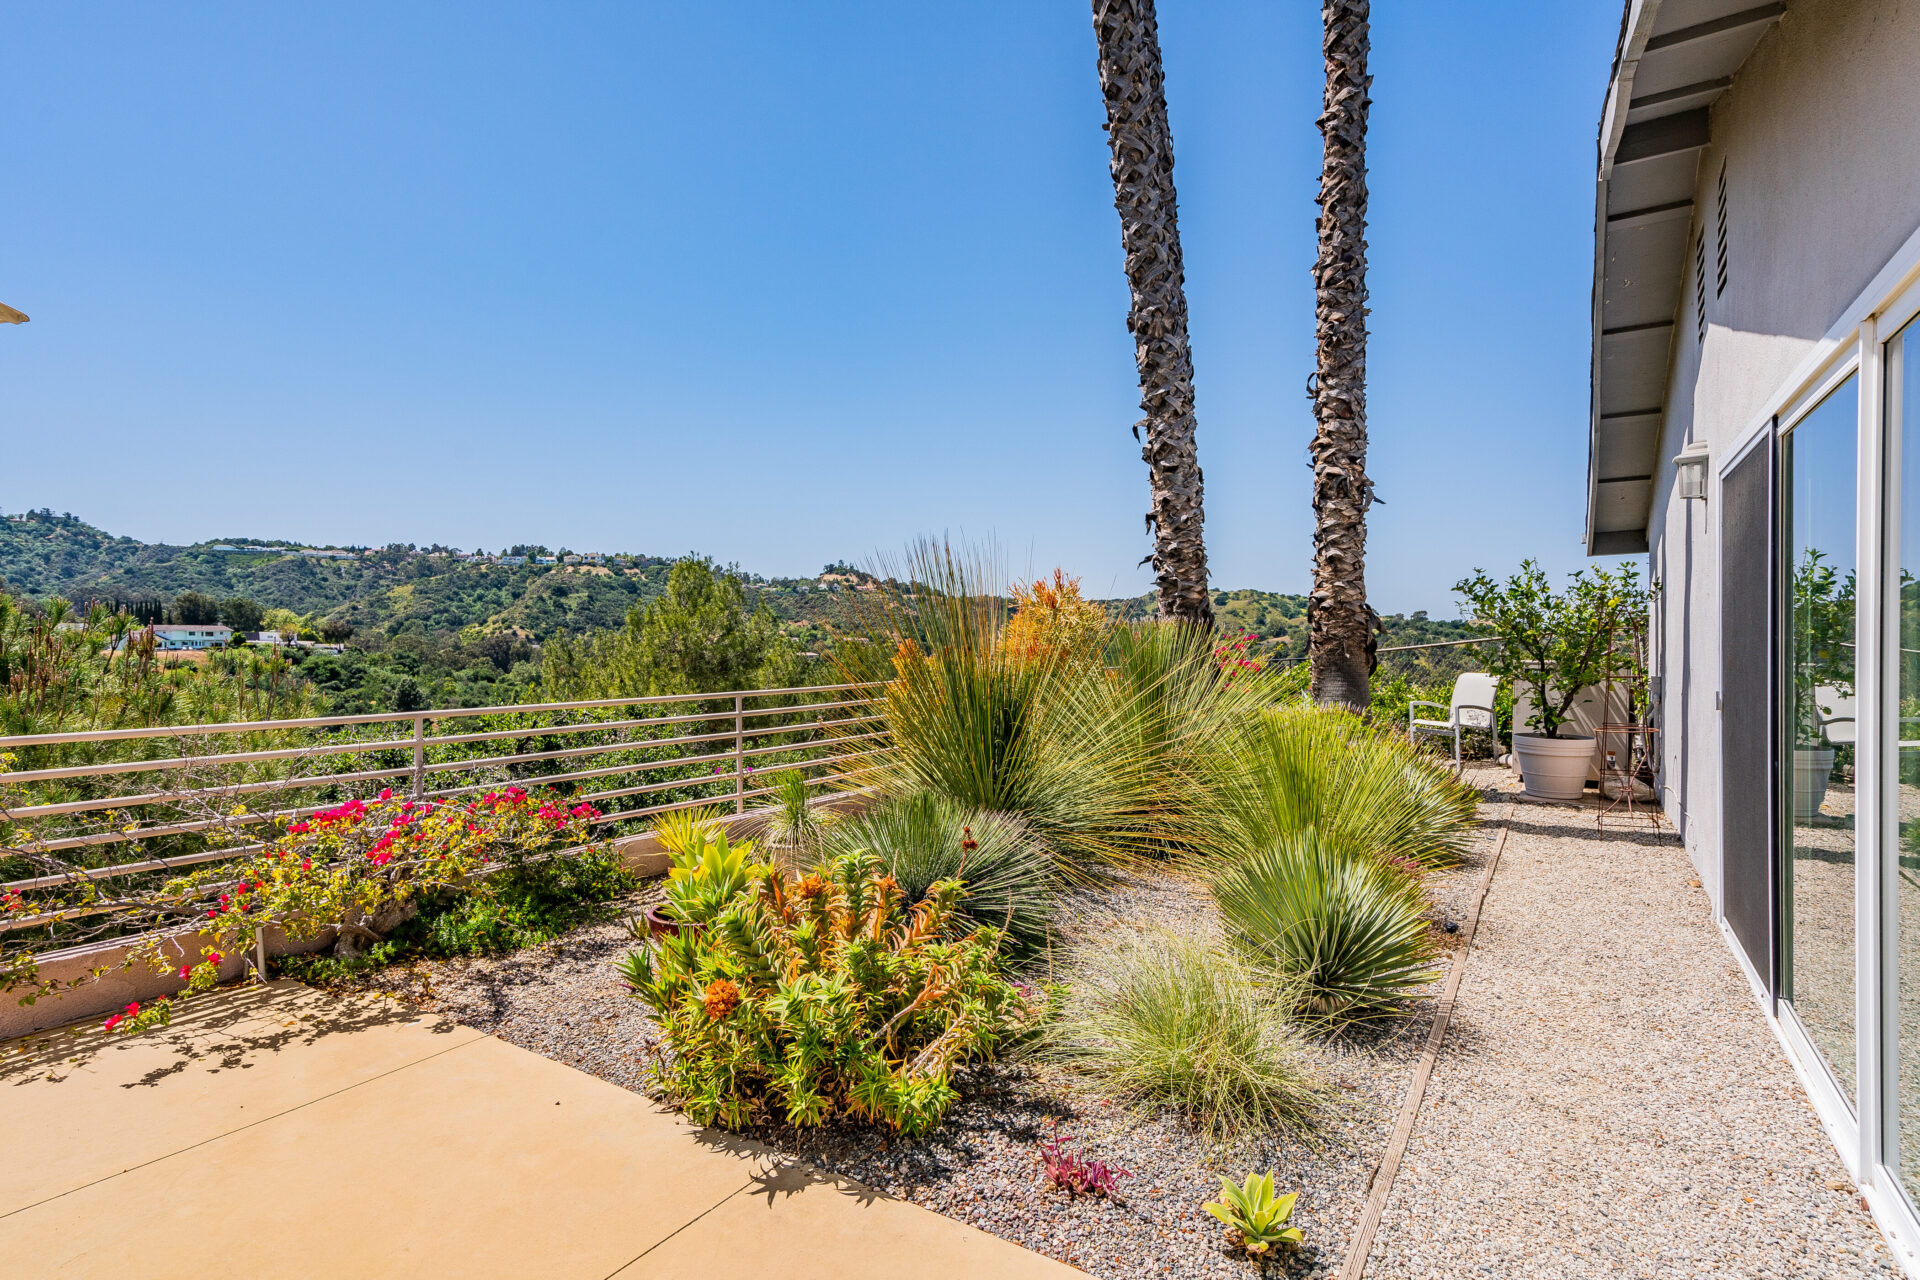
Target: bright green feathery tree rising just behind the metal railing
698,638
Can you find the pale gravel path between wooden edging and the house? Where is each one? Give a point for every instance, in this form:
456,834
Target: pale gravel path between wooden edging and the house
1610,1101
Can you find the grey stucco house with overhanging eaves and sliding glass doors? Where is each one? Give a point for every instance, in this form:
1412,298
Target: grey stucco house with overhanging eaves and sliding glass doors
1756,433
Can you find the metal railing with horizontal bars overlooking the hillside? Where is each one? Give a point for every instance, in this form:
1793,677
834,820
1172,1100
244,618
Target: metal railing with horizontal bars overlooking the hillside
133,805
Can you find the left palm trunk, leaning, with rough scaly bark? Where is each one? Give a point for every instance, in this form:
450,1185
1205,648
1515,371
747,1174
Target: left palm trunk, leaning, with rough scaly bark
1149,231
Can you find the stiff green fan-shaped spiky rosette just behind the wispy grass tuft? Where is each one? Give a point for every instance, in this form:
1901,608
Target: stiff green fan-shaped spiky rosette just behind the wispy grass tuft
1349,928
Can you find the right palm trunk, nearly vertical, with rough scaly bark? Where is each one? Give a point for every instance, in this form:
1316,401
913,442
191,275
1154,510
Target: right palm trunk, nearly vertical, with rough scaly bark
1339,623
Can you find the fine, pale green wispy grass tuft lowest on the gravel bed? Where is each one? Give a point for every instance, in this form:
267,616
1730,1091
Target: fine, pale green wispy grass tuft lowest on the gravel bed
1174,1020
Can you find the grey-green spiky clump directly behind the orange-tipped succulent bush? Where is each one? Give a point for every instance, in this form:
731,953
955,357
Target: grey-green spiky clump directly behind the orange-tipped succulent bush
1007,880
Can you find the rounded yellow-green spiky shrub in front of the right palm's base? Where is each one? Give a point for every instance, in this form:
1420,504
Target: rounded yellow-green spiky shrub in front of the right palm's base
1360,786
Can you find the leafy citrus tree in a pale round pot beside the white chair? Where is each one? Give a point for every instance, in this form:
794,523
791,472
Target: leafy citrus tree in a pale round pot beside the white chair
1558,644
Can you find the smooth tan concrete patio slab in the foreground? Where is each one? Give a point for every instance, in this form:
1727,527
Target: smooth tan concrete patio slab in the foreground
373,1145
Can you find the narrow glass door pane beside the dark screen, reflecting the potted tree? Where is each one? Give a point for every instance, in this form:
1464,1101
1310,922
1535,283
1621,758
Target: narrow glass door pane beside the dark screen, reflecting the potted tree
1817,932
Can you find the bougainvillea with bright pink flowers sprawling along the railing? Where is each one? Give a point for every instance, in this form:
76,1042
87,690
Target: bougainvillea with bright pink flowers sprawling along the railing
356,870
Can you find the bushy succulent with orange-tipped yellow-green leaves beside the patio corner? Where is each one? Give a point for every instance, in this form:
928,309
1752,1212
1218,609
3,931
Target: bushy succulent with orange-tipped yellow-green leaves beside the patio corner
828,997
